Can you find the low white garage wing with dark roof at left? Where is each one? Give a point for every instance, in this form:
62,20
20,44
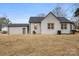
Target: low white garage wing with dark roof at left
18,29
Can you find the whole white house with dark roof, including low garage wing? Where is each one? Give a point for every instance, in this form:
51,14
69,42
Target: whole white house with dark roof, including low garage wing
50,24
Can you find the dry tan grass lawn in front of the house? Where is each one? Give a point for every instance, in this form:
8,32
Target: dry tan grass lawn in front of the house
39,45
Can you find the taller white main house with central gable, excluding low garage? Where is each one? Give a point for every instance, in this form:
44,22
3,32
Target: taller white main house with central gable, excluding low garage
50,25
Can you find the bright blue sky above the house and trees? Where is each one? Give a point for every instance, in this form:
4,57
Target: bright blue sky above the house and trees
20,12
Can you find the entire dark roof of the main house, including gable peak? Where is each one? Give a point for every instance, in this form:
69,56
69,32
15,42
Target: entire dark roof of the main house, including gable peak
39,19
